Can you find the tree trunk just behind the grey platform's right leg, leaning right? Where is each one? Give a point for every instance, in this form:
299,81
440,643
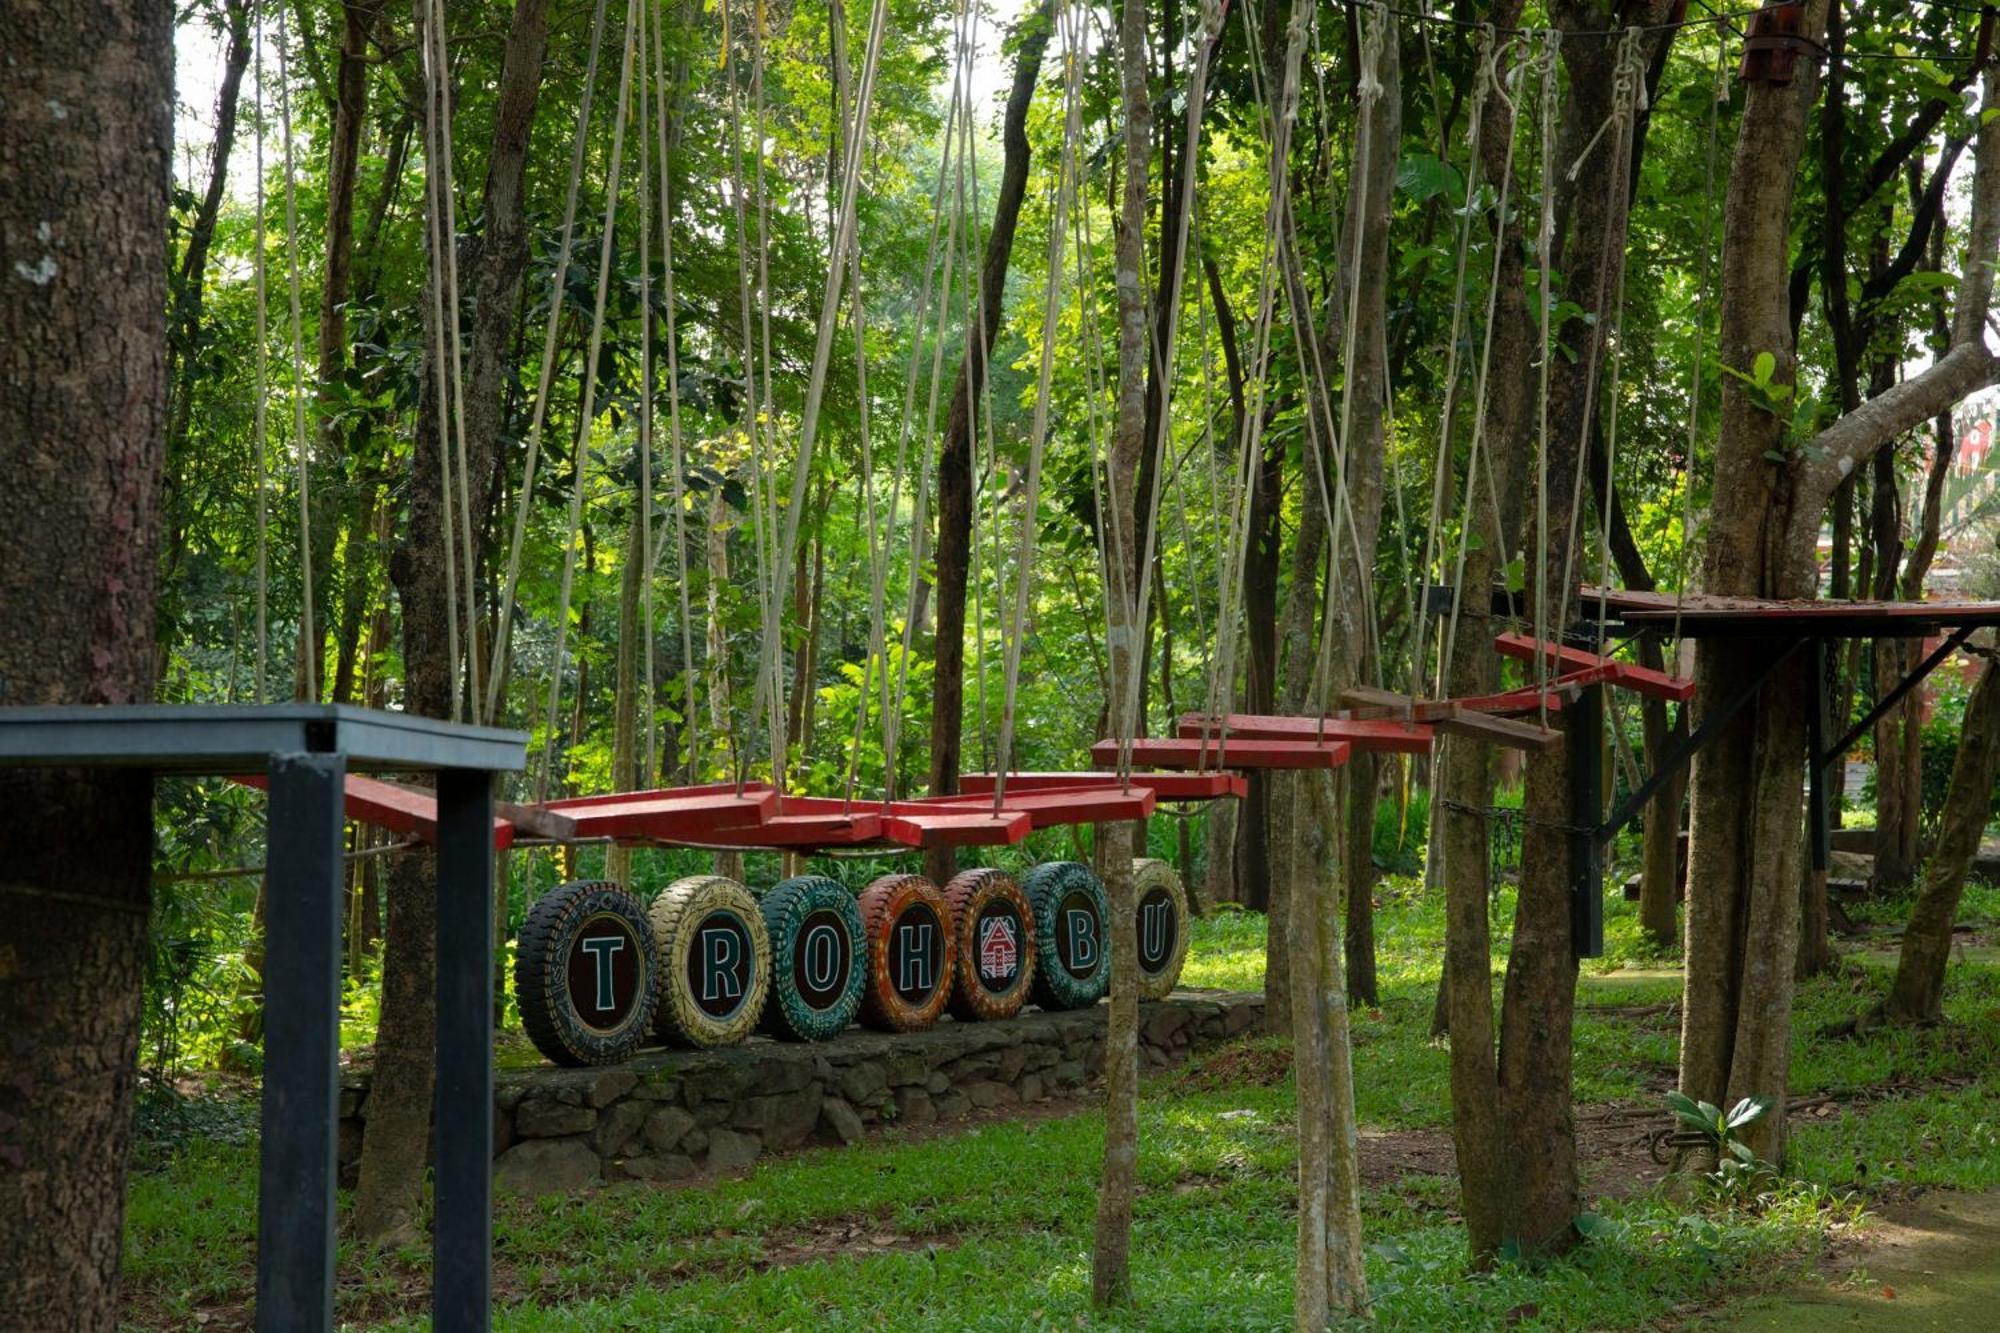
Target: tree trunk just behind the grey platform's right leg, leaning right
389,1196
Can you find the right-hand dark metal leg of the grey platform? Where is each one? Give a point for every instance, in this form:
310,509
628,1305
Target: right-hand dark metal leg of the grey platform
465,1136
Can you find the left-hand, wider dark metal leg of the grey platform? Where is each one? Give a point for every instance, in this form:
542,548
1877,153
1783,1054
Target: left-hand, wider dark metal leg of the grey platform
295,1274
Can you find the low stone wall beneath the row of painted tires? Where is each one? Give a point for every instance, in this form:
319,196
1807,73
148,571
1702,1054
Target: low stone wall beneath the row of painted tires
673,1116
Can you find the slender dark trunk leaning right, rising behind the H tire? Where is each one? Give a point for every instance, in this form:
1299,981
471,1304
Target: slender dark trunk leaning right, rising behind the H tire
953,555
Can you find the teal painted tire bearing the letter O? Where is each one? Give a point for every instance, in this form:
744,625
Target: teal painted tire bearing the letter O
819,958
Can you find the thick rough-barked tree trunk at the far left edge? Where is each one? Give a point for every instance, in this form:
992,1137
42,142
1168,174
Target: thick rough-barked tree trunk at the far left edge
85,159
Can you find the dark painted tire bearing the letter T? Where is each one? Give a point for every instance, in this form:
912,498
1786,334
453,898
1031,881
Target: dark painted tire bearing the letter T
585,974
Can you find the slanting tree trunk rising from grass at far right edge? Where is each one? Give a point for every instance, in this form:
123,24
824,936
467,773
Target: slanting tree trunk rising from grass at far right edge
1917,996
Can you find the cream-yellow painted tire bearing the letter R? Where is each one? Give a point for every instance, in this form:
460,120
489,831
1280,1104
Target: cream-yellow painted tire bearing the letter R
713,960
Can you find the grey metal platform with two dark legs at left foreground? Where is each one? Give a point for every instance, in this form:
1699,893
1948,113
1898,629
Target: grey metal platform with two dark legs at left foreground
309,750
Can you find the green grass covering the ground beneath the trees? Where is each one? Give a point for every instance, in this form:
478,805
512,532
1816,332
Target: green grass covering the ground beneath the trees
991,1228
